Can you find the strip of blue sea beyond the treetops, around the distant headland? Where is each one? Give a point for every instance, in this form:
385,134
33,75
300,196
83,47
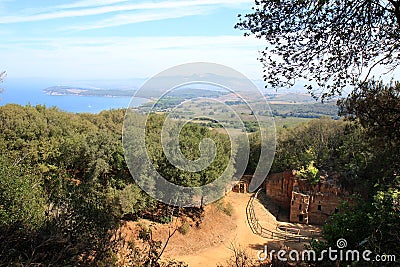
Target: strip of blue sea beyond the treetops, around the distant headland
30,91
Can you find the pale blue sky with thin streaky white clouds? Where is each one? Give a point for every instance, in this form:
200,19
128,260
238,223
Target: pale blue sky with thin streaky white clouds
122,39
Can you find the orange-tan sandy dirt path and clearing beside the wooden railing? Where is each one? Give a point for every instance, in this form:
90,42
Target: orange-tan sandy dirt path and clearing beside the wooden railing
209,245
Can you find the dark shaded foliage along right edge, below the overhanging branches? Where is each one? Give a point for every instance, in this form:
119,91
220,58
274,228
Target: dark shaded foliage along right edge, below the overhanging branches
373,222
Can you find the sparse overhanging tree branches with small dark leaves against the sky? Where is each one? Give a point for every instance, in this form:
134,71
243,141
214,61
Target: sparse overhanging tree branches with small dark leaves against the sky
331,44
